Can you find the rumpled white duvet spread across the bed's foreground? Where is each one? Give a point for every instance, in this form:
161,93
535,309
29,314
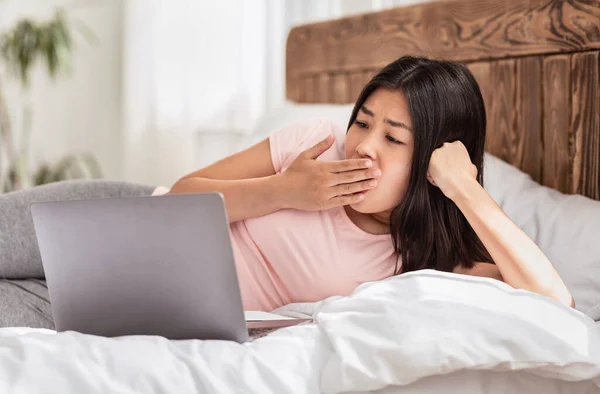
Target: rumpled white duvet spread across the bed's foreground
424,331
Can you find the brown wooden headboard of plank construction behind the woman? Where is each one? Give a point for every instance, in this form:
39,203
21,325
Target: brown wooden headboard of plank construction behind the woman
537,63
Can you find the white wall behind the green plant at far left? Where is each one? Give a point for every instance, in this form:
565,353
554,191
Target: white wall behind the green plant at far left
81,112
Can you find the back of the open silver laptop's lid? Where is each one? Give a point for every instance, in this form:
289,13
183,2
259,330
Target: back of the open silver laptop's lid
141,266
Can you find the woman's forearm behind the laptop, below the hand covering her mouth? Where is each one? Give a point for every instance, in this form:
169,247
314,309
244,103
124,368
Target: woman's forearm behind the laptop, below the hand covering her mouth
244,198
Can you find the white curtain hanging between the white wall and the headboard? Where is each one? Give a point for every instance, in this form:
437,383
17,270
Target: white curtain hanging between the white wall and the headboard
198,74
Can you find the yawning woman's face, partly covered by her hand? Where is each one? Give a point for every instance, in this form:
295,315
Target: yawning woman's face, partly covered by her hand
382,132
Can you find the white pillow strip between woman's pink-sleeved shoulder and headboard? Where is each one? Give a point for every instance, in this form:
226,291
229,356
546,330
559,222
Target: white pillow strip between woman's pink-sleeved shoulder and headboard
290,113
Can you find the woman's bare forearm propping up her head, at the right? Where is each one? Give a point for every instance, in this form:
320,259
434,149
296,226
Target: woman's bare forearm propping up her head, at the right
520,261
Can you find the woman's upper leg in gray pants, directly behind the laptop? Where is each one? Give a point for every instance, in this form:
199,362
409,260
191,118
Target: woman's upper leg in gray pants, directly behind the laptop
19,253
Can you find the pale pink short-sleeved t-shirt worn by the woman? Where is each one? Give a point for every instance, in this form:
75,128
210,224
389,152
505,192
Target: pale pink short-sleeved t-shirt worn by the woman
305,256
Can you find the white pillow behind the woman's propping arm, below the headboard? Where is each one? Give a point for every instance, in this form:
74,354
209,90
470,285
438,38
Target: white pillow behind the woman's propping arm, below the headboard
565,227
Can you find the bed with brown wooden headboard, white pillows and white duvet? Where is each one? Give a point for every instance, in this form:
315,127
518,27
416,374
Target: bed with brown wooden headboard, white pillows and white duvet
537,63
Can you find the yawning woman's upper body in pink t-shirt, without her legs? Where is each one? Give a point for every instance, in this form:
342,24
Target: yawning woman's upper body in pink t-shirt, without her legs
316,210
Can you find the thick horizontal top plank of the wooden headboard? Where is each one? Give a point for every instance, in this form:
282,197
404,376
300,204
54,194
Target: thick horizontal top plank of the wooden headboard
463,30
